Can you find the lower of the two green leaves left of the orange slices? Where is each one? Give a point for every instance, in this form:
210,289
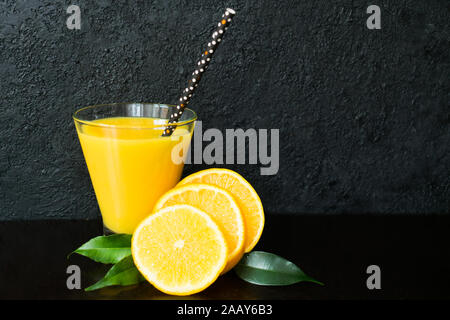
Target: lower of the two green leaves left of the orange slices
123,273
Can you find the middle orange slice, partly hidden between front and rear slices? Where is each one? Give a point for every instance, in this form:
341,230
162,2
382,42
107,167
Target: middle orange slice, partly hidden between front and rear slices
220,205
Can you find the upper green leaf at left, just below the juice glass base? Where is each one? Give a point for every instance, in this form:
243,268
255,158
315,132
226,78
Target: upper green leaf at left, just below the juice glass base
107,249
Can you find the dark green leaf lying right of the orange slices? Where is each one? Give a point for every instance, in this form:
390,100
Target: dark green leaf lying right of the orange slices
268,269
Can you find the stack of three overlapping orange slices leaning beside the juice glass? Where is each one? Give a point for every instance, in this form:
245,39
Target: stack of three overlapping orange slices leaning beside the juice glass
179,248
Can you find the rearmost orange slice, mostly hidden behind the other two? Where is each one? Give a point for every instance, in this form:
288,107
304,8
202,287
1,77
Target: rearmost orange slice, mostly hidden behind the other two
246,197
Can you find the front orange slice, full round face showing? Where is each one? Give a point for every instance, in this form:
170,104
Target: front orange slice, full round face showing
179,249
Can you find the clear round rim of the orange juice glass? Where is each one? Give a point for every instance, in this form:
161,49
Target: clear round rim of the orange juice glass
156,126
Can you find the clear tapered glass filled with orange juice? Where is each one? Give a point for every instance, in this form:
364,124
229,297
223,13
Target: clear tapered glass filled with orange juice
130,164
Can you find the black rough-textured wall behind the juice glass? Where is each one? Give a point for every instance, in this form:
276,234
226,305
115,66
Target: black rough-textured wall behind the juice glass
363,114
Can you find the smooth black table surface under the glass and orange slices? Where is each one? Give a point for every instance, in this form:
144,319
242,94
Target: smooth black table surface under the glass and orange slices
411,251
